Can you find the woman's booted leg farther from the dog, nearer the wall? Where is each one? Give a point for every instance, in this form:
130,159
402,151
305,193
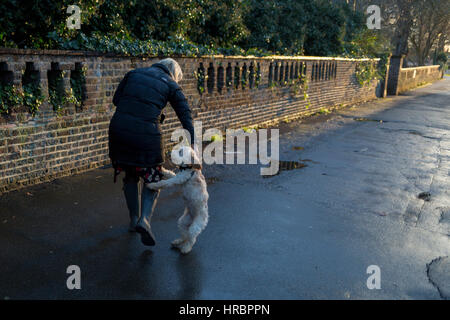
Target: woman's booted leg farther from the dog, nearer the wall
131,192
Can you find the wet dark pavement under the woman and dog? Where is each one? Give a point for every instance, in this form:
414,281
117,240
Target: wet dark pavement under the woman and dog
373,190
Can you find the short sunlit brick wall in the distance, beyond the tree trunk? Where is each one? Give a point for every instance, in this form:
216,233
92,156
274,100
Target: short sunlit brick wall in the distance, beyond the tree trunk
410,78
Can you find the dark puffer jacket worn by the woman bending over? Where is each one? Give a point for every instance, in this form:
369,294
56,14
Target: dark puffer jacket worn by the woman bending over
134,132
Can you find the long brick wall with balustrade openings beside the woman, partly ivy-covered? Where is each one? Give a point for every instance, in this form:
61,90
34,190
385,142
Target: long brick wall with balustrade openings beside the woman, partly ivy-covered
236,92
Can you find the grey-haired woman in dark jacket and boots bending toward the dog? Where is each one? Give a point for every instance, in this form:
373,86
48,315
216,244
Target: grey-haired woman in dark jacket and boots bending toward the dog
135,144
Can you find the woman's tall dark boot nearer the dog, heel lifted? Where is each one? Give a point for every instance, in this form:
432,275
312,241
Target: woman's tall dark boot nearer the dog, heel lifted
148,203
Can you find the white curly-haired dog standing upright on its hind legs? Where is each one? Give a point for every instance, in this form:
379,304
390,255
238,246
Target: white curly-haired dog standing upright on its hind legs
195,195
